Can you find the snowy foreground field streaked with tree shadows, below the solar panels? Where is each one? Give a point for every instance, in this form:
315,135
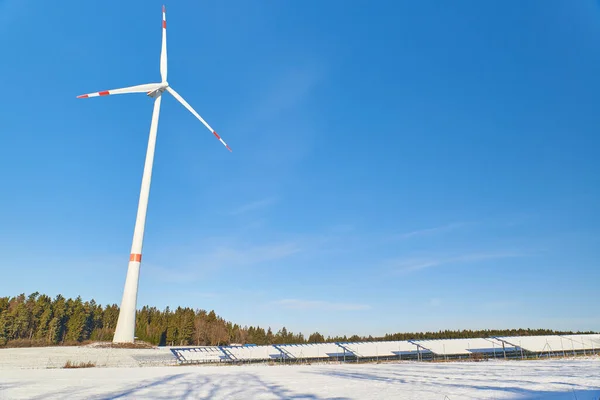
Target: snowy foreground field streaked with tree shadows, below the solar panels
544,379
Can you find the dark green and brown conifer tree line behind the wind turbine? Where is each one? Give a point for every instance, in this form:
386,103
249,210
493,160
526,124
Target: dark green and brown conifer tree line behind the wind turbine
39,320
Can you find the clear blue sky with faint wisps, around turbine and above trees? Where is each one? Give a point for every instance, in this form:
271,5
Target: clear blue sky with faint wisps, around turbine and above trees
396,166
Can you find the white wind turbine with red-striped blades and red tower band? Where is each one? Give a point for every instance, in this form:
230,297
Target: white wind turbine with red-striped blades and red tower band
126,322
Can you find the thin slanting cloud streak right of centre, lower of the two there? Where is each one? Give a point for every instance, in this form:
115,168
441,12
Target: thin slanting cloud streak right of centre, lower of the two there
405,265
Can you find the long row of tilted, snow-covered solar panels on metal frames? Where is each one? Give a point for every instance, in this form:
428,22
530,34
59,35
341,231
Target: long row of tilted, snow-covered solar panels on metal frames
496,347
